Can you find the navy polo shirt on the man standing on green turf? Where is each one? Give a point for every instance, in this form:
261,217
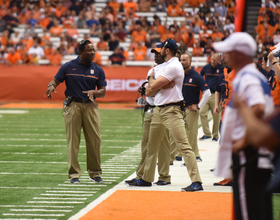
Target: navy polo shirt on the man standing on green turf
79,77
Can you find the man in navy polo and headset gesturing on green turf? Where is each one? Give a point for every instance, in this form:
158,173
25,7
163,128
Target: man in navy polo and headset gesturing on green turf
84,81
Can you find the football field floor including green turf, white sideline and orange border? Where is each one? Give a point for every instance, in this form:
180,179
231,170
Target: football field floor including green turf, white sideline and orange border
34,182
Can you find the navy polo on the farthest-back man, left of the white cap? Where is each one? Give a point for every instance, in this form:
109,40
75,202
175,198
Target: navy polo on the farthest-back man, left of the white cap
211,75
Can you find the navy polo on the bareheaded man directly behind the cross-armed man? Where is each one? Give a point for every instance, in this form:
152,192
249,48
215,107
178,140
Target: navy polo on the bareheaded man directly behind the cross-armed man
192,85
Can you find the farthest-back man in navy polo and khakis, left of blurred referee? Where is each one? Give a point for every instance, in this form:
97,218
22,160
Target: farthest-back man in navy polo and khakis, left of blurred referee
211,72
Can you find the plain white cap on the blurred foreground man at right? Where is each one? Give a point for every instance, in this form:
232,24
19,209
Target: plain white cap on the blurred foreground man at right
238,41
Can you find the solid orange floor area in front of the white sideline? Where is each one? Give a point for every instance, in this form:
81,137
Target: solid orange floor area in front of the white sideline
134,204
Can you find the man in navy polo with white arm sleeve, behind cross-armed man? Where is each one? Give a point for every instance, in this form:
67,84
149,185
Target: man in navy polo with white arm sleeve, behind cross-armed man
192,85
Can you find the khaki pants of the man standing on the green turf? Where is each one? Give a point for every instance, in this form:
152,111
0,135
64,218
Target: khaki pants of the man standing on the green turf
76,117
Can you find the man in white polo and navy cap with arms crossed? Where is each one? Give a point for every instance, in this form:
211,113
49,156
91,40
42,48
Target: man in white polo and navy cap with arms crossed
168,116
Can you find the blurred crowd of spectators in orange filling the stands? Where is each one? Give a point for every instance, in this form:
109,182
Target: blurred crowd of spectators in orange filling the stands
117,22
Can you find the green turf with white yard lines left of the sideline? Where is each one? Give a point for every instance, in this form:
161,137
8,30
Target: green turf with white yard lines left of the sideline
34,161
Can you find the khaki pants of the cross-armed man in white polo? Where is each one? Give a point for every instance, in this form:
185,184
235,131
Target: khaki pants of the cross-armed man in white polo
170,118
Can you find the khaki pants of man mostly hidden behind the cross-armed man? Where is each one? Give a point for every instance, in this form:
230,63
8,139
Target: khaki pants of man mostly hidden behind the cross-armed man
163,163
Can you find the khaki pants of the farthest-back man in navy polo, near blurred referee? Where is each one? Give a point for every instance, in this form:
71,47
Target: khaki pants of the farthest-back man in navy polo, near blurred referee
204,119
